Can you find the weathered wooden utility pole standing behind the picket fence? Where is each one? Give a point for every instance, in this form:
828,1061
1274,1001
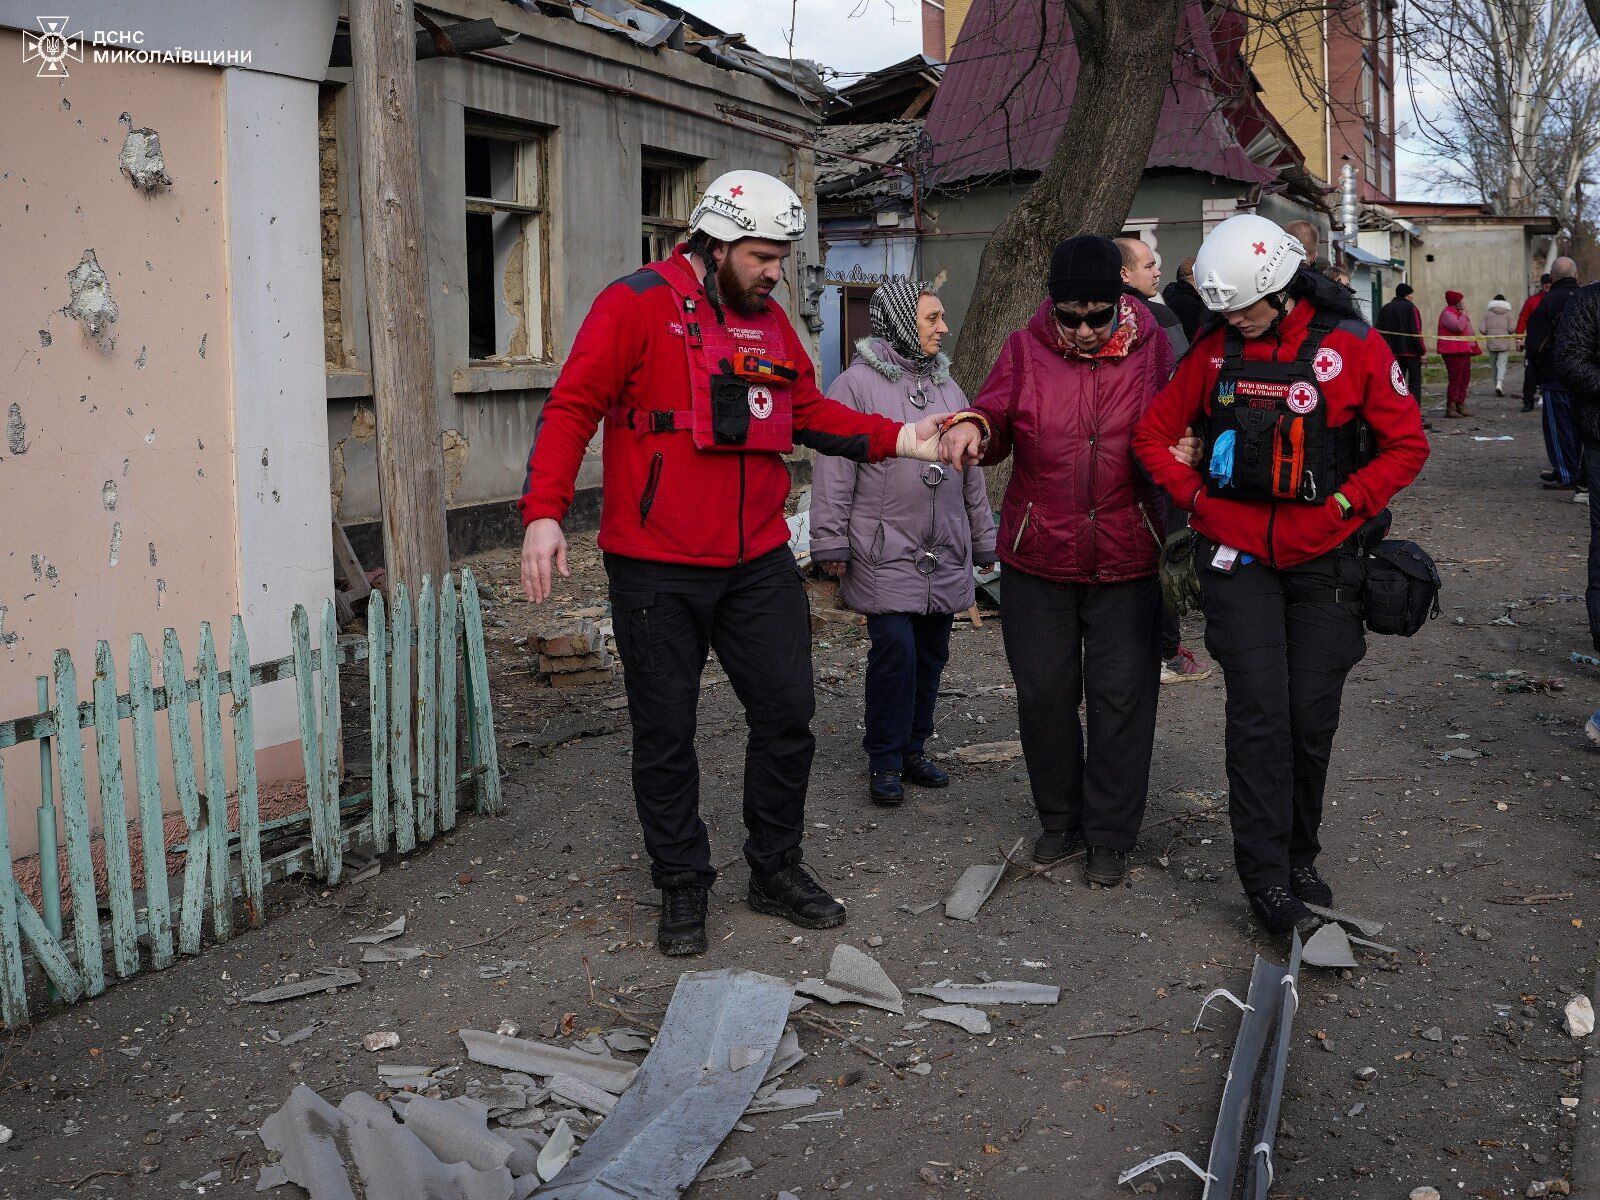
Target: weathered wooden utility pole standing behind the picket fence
410,462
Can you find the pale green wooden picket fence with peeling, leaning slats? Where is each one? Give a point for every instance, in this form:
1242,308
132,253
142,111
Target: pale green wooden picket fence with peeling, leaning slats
417,718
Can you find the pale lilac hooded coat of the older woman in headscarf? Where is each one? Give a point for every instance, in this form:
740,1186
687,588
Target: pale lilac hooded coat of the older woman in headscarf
882,519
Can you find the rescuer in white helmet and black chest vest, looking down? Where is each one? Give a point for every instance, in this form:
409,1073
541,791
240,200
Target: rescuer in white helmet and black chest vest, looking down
1308,431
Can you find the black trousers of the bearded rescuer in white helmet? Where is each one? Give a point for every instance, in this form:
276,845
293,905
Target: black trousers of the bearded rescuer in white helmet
759,620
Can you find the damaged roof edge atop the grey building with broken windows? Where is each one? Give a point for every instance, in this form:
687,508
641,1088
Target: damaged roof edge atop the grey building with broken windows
660,25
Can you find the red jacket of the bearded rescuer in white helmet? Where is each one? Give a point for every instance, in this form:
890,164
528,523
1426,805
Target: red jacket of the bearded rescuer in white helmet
663,498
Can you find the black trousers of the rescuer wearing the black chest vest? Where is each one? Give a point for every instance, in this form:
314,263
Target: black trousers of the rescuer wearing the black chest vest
1286,639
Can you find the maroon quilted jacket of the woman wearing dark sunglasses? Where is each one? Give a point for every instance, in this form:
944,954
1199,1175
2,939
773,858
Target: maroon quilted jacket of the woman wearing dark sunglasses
1078,508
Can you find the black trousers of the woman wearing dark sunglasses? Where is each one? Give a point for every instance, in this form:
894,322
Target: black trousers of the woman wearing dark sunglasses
1098,644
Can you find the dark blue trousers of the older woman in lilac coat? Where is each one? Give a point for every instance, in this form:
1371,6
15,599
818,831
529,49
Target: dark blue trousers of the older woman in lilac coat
905,665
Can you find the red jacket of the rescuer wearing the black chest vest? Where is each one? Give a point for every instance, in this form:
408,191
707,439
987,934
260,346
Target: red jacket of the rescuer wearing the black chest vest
1369,385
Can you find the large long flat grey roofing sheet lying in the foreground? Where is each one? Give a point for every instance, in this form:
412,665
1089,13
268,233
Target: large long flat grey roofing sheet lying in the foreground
686,1098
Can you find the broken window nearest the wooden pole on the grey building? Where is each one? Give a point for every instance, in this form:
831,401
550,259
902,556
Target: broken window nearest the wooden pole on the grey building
508,244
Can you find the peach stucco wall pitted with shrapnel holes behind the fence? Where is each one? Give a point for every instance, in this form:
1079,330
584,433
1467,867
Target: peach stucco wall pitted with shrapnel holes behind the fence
151,418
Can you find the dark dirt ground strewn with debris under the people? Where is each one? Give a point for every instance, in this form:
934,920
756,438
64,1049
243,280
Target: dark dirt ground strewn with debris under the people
164,1081
